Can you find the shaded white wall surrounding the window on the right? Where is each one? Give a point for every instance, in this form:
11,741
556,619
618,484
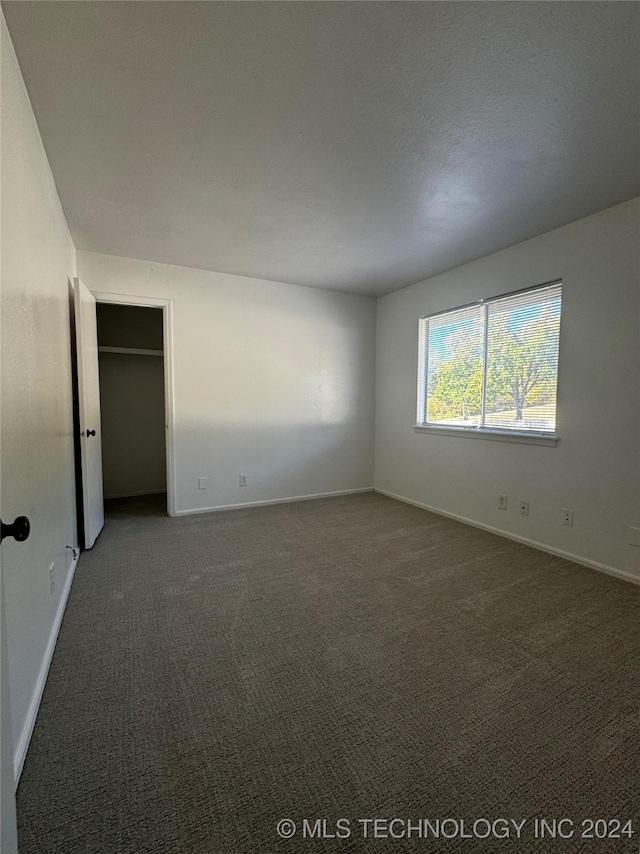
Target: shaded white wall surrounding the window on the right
594,470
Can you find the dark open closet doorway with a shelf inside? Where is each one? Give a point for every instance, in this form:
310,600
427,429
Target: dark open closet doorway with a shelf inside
133,356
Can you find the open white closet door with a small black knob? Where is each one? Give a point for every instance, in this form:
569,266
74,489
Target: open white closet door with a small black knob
89,405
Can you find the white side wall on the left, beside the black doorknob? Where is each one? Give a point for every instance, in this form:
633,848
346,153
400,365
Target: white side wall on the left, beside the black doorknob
38,258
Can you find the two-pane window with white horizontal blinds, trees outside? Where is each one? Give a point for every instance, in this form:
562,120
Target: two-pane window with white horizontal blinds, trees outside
492,365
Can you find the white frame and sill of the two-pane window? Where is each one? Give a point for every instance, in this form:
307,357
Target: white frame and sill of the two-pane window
480,431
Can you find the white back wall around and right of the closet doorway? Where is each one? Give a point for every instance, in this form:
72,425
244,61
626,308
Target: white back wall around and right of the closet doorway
271,380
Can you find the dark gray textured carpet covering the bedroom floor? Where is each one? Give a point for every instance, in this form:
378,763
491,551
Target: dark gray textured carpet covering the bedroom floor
346,658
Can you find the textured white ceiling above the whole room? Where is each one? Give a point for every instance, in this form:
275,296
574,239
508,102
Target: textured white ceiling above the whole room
354,146
